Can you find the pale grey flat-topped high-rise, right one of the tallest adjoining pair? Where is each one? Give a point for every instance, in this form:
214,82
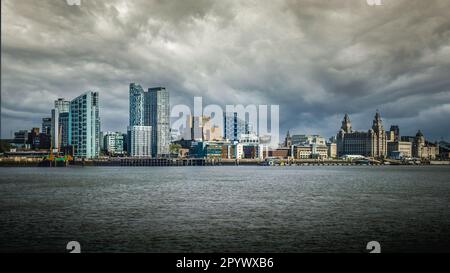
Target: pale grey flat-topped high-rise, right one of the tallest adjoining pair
157,115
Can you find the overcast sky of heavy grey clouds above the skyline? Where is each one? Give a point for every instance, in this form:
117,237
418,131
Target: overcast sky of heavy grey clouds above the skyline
316,59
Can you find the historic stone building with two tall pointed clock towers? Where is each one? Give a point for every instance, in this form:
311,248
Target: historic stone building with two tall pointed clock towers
372,143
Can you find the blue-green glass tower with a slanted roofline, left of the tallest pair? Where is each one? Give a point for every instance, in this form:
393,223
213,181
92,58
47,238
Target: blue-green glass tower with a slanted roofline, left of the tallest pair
85,125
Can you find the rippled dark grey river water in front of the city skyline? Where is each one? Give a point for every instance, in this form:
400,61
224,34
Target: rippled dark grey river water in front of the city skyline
226,209
